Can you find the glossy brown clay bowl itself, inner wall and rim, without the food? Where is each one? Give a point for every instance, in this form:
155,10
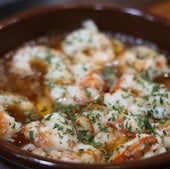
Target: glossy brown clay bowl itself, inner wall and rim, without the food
60,19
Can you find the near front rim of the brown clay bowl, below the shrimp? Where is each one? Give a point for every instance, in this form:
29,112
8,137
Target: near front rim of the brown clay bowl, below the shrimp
22,156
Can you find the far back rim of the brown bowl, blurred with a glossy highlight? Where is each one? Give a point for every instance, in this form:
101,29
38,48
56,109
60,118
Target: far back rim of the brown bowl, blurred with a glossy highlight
18,17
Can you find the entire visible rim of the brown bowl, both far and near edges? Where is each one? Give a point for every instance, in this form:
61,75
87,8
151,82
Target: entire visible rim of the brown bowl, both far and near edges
21,155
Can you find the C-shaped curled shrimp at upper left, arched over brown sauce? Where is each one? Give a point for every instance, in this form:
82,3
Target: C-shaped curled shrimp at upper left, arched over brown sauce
52,59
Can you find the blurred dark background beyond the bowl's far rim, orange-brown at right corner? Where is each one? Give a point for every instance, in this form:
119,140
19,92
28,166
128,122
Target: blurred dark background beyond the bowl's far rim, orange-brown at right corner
159,7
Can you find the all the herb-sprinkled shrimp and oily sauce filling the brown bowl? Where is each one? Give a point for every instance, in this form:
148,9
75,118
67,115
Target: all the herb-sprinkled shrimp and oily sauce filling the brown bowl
90,99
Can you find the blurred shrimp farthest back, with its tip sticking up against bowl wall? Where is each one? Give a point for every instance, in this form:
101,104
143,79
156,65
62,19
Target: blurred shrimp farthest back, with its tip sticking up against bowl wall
88,45
